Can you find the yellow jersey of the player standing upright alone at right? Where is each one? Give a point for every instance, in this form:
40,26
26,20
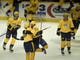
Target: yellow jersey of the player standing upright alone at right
66,26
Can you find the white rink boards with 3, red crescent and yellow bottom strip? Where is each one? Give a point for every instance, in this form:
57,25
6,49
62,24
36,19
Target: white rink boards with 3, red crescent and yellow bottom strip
46,12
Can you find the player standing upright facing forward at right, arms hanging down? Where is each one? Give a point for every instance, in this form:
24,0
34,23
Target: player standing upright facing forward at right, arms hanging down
65,29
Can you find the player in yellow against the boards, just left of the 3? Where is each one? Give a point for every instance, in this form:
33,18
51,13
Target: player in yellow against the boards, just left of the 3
32,8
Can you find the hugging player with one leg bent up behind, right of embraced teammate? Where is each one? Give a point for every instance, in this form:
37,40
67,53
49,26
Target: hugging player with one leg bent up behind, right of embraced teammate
38,40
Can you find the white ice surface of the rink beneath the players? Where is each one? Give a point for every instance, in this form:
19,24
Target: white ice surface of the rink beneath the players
53,52
